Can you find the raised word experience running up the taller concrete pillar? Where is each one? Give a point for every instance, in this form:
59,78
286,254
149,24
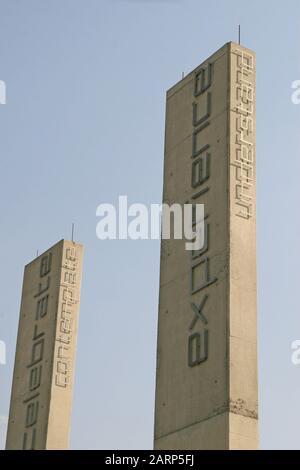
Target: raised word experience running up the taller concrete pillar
200,270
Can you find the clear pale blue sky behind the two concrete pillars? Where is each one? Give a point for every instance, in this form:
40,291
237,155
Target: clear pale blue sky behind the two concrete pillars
83,123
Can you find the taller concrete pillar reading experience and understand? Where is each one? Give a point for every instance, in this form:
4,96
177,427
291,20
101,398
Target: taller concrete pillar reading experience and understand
206,385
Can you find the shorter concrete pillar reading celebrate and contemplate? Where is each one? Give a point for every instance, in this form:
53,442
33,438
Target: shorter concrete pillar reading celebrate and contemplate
41,398
